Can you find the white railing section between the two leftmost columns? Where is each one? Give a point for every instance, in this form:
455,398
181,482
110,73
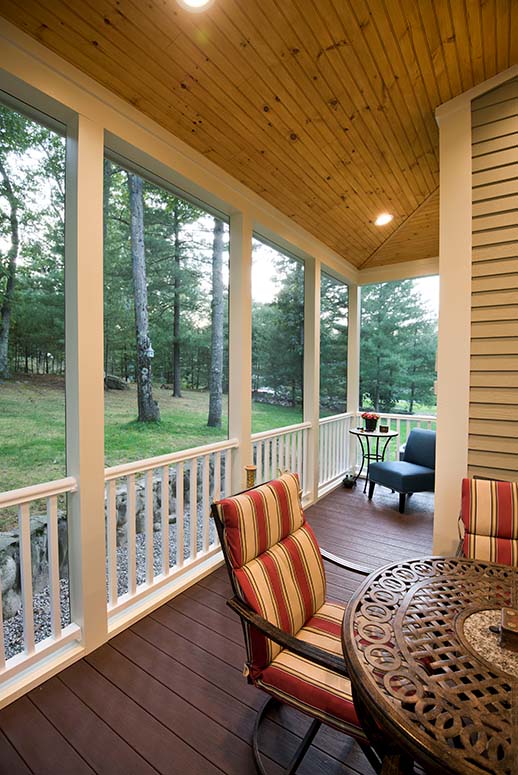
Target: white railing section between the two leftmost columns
158,519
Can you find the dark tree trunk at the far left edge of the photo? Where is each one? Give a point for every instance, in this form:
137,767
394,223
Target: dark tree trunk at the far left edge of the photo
10,272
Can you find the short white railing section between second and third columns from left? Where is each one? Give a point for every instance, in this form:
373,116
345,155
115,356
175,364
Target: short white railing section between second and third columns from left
282,449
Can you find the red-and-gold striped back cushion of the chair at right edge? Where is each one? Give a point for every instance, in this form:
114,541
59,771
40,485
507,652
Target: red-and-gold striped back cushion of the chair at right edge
489,519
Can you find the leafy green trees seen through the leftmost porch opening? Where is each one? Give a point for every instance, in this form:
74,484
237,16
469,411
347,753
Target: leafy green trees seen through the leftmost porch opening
32,226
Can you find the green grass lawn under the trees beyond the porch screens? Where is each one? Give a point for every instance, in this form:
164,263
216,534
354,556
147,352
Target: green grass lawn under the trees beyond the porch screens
32,427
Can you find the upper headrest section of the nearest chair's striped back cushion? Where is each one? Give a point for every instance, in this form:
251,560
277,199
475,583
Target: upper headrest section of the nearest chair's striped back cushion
256,520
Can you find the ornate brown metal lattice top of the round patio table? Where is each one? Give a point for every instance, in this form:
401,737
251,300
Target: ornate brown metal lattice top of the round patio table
418,676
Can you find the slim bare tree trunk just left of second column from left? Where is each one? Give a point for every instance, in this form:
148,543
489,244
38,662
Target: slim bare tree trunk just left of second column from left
216,349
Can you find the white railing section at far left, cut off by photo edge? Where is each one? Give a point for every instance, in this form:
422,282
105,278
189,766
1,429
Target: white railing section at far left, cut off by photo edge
35,644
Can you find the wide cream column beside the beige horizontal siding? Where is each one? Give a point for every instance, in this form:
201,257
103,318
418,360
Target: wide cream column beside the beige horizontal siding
453,357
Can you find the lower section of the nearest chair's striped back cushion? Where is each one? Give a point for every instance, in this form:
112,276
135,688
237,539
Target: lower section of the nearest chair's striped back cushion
285,585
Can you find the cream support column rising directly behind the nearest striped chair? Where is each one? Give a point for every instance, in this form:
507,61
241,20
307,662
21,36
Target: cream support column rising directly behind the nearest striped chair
240,346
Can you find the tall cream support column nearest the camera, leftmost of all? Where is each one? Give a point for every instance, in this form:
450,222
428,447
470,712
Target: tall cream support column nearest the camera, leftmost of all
84,380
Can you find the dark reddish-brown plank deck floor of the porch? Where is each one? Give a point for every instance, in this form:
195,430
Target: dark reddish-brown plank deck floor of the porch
168,696
